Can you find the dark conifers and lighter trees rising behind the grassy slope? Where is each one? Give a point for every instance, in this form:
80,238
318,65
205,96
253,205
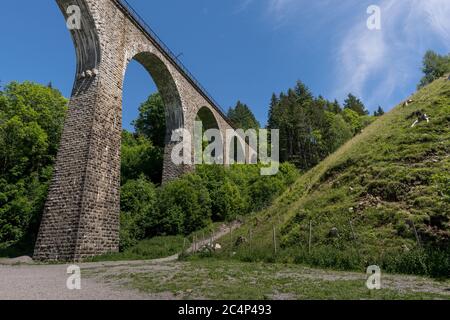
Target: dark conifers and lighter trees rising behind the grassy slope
312,128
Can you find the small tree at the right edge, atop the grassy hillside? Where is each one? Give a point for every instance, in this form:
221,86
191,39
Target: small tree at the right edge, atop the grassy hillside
434,67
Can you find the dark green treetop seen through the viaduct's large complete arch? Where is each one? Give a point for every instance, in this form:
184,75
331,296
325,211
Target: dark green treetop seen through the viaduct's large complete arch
151,121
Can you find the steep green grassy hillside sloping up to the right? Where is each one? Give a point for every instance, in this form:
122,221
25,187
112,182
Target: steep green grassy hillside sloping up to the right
366,201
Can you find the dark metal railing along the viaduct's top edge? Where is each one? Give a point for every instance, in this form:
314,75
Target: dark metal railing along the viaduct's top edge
174,59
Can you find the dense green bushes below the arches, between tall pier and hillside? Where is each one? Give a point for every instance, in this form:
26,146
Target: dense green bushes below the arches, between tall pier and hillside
210,194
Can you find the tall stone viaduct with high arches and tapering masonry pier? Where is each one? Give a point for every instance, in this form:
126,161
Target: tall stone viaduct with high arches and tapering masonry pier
81,216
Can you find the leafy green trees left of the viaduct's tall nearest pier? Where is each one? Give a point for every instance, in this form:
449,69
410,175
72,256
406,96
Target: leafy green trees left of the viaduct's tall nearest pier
31,121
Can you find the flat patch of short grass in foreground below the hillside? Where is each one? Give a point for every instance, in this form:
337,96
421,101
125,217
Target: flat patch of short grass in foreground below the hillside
218,279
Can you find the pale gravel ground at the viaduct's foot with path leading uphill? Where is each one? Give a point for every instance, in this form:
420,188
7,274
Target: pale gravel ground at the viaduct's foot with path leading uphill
21,279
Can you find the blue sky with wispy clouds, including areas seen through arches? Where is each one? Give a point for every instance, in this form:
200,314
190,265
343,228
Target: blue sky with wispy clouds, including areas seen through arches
248,49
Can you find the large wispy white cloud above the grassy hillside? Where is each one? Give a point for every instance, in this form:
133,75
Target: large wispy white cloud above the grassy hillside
376,64
